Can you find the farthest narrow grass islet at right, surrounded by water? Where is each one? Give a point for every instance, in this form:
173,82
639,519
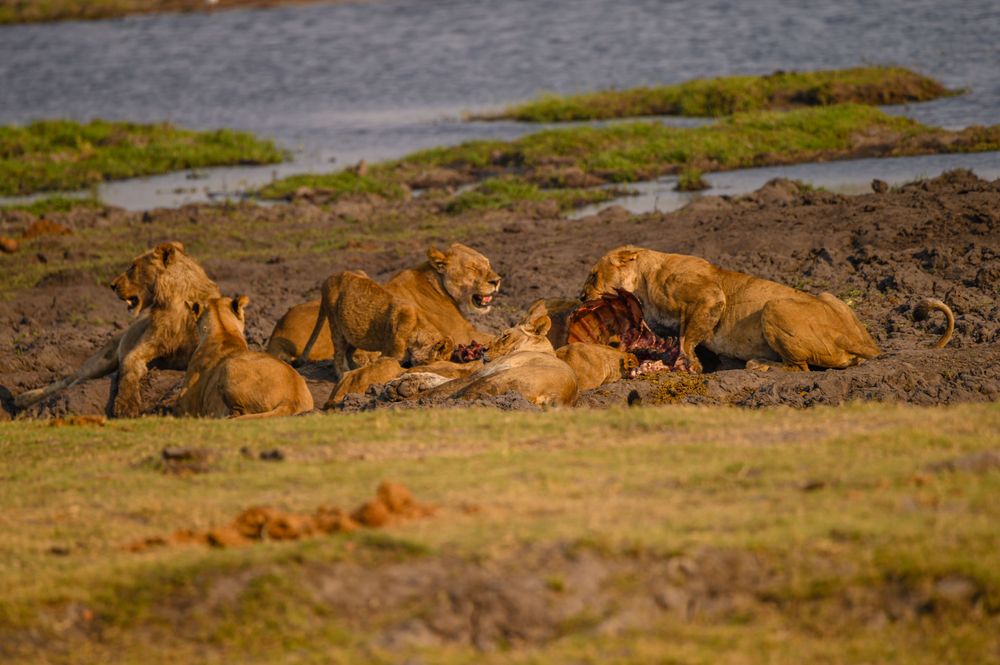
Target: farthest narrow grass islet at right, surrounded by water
723,96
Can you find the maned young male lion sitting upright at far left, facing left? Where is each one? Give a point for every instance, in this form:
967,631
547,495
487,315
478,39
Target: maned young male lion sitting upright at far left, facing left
158,281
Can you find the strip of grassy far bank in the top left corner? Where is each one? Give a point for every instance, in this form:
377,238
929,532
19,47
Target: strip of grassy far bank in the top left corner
20,11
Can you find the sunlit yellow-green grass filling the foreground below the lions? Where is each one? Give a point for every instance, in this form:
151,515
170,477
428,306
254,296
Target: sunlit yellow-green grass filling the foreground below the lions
850,486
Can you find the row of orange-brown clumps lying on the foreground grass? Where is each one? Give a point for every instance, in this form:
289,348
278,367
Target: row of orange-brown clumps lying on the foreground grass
393,504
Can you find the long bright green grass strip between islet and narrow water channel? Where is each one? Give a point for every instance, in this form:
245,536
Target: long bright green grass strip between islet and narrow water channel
626,152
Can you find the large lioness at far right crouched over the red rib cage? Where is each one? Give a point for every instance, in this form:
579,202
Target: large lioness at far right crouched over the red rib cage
734,314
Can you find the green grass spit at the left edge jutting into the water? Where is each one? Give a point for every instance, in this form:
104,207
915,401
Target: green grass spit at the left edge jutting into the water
52,155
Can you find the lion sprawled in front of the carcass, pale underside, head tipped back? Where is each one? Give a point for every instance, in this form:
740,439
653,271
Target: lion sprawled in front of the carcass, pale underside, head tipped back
522,361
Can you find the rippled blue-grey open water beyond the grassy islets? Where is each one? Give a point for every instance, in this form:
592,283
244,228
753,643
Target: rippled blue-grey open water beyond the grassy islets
337,83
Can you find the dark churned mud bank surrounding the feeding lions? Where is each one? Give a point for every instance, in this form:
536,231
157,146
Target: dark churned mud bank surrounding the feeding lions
882,252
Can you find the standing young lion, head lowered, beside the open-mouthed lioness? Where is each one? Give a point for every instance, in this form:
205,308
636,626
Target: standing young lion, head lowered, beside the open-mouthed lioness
363,315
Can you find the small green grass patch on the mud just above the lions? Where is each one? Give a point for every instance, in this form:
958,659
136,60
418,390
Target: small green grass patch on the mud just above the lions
508,192
